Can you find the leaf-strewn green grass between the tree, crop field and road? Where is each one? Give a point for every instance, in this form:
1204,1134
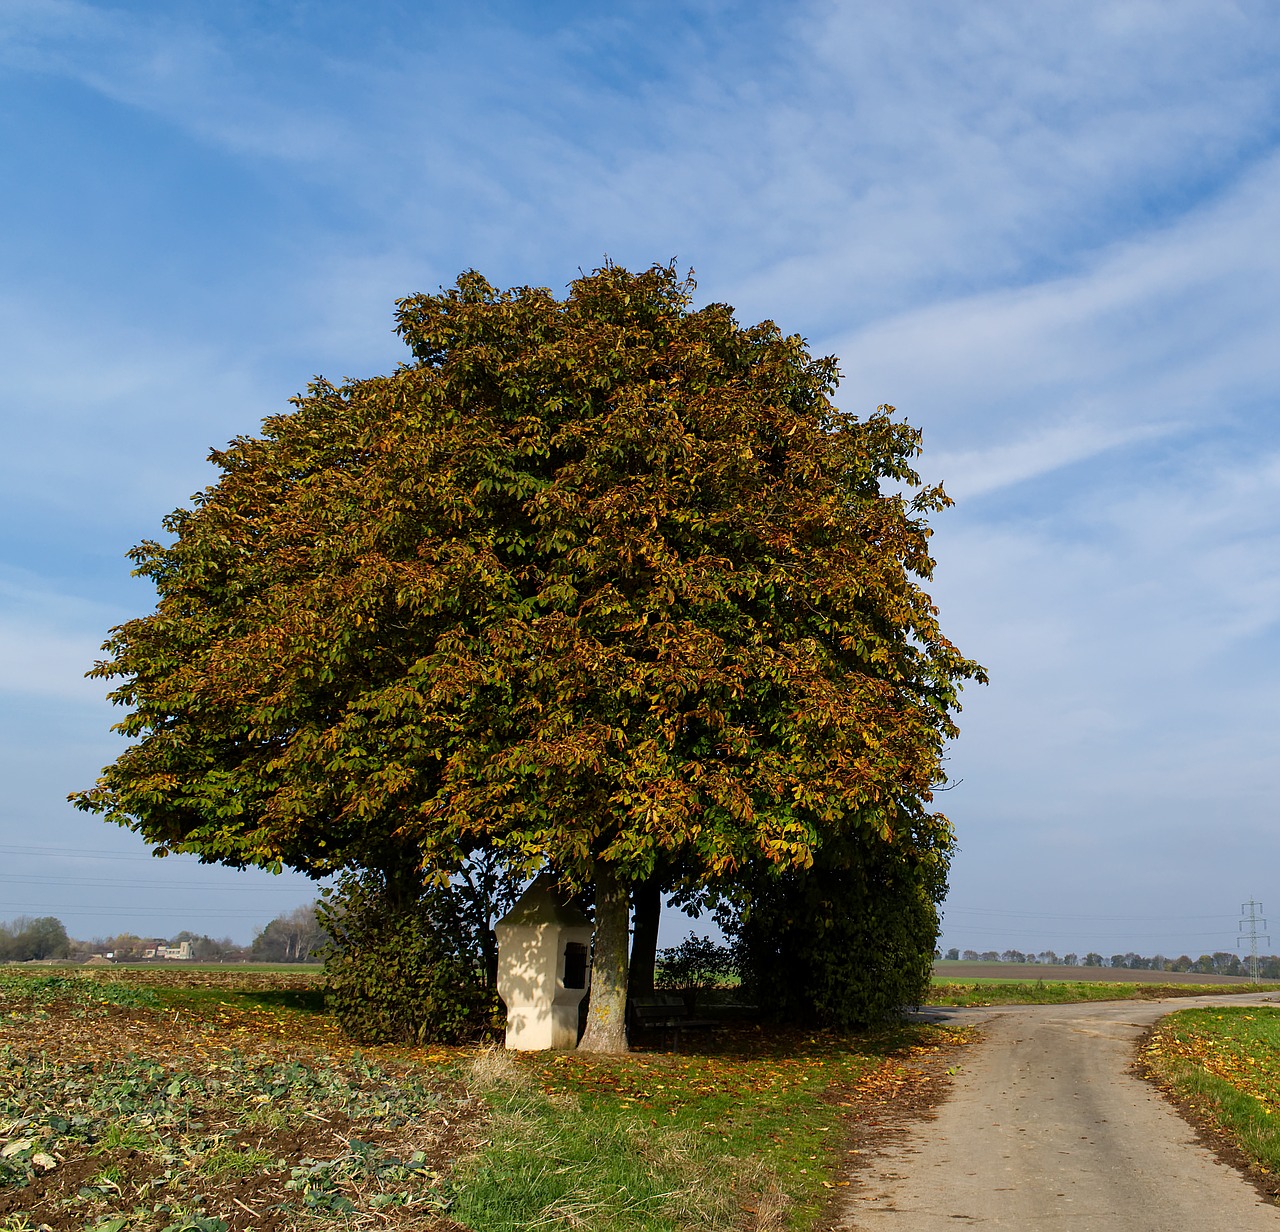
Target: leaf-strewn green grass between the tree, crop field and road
752,1135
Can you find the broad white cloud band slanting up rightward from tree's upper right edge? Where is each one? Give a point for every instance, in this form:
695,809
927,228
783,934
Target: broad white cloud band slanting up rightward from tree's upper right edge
1162,337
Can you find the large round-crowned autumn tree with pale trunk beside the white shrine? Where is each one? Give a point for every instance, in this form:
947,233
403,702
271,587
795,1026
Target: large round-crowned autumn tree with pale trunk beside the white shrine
602,585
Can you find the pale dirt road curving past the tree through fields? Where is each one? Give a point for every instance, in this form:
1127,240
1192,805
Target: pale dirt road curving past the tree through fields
1048,1129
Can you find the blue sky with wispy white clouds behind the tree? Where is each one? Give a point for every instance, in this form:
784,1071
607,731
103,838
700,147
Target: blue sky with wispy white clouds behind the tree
1046,234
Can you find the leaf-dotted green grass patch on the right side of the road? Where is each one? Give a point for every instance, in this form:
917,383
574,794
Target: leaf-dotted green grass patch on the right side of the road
1226,1064
